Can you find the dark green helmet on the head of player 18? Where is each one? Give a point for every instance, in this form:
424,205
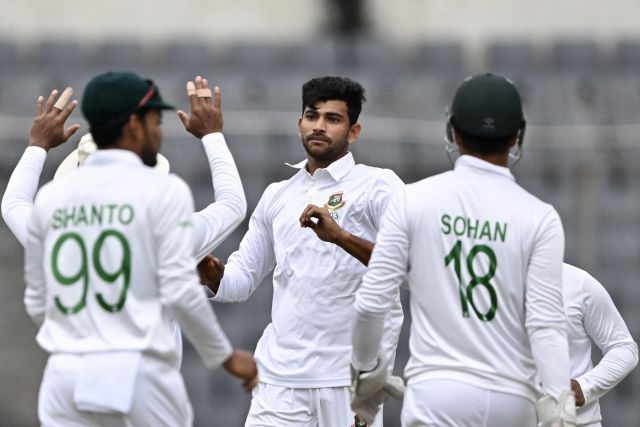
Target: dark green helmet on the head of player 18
487,106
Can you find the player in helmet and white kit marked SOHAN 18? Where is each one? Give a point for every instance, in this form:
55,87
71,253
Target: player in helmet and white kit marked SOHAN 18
484,260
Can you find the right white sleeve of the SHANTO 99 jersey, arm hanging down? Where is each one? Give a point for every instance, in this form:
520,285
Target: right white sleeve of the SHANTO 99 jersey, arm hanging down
179,288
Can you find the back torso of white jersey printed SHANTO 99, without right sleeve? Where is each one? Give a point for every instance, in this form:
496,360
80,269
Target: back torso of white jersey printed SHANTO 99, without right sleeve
100,227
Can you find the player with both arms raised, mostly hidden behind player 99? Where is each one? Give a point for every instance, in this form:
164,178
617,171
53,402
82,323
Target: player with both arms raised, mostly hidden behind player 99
210,226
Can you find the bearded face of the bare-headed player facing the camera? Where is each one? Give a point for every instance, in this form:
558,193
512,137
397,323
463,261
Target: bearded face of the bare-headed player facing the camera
325,130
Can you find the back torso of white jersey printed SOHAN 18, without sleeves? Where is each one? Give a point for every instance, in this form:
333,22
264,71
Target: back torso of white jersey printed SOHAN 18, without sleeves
473,234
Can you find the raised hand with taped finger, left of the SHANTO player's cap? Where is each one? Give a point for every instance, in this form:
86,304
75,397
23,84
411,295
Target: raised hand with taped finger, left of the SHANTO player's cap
48,129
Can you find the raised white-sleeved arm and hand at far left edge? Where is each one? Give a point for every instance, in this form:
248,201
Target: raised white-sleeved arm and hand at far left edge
47,132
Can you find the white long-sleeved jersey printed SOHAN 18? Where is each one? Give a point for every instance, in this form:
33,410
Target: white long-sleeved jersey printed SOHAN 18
484,261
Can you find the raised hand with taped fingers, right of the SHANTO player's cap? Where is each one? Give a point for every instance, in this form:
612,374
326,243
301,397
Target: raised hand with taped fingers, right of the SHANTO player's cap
206,113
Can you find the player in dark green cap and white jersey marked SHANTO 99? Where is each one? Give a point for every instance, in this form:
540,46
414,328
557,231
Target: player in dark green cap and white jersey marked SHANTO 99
109,262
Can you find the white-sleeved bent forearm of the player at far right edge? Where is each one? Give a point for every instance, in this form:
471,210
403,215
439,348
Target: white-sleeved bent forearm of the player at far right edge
614,366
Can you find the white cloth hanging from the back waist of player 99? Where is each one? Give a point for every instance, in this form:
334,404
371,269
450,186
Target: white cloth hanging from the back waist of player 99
106,381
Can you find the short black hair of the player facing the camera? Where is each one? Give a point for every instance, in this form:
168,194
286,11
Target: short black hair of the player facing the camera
331,88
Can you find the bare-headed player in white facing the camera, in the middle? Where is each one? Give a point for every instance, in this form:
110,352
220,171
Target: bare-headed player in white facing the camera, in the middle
304,353
